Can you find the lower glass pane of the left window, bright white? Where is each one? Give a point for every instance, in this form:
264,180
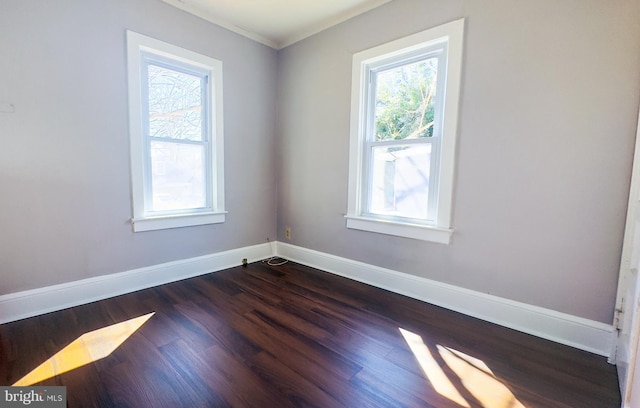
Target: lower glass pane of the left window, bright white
177,177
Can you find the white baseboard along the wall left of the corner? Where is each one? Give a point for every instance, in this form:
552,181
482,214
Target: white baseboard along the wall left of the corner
20,305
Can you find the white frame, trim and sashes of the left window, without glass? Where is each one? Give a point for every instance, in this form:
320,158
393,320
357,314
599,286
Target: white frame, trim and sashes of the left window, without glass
143,51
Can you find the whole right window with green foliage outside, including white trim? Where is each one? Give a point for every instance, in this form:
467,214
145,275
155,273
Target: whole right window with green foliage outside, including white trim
404,108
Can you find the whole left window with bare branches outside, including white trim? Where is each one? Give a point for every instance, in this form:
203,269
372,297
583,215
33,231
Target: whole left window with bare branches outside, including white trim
175,103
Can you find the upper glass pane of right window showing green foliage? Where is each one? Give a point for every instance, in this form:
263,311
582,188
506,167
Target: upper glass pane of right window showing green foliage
405,101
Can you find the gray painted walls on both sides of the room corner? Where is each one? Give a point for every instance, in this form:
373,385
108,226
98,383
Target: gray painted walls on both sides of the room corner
548,116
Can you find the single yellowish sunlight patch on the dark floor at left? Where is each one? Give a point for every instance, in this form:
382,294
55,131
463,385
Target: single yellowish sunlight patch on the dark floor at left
89,347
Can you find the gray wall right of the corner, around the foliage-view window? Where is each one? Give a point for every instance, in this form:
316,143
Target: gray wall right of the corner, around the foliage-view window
548,115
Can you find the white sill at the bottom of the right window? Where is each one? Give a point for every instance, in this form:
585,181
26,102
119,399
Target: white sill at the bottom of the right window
414,231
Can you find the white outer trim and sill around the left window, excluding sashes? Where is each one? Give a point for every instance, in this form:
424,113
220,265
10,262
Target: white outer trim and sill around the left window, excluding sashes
141,221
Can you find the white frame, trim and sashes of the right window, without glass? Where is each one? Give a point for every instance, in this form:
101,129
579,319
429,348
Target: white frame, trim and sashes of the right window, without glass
447,39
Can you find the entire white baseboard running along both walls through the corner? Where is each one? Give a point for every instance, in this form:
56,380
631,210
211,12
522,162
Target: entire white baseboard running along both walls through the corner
562,328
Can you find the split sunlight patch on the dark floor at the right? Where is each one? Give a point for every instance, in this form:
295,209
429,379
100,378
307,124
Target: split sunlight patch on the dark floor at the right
474,375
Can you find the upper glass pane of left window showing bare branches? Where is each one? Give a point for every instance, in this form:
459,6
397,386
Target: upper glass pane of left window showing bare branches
175,104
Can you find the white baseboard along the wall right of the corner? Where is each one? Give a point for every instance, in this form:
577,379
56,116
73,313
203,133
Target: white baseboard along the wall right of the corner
584,334
